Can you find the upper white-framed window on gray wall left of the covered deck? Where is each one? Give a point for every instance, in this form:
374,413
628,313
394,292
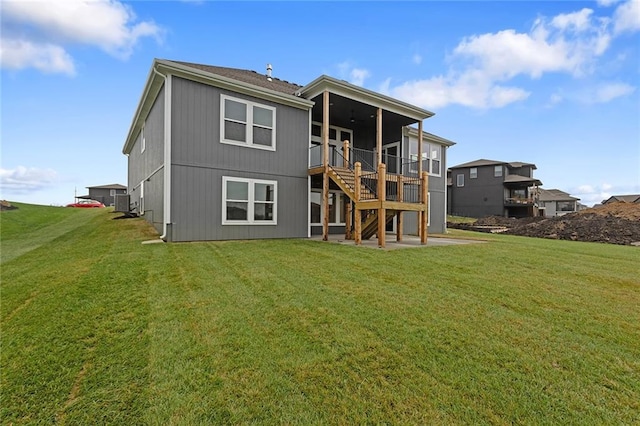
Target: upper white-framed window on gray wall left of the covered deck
247,123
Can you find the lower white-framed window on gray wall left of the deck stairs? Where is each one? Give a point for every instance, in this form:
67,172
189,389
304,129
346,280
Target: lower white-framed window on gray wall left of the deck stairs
249,201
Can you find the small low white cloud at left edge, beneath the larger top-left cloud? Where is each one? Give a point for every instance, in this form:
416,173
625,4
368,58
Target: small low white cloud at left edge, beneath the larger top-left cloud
48,58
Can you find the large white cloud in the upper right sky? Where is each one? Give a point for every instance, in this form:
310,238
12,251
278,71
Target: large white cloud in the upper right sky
569,43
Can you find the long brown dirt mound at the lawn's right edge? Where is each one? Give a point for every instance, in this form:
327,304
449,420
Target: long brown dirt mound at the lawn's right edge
616,223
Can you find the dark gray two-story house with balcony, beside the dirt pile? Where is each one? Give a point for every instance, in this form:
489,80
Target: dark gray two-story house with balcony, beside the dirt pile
493,188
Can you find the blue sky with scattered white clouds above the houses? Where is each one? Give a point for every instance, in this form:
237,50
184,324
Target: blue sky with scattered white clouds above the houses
552,83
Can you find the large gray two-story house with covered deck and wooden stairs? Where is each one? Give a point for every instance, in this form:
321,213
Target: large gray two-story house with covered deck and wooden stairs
218,153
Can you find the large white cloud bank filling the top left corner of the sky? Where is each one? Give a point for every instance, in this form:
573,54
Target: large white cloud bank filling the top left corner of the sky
47,28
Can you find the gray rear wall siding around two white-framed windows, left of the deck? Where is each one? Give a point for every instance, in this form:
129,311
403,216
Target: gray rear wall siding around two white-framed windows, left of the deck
199,161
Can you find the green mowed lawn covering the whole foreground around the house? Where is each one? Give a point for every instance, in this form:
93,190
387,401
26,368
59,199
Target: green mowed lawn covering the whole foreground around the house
98,328
